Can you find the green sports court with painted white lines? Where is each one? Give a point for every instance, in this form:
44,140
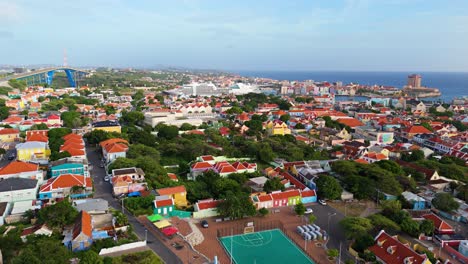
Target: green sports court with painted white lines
265,247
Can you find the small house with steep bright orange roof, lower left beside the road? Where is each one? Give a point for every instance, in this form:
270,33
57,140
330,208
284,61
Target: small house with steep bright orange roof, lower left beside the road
80,237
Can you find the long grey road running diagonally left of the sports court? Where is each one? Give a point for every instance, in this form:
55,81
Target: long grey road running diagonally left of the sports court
103,190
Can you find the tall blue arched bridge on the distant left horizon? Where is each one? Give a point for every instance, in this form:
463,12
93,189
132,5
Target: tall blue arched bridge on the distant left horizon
45,76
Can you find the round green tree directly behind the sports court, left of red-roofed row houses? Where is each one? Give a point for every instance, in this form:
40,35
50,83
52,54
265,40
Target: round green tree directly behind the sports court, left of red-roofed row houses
236,206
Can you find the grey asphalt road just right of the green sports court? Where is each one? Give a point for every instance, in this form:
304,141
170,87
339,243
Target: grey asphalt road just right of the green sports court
333,228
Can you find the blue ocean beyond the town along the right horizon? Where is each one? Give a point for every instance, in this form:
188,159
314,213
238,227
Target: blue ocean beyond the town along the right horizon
450,84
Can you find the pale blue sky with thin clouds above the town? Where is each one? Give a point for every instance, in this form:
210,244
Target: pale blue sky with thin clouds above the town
342,35
